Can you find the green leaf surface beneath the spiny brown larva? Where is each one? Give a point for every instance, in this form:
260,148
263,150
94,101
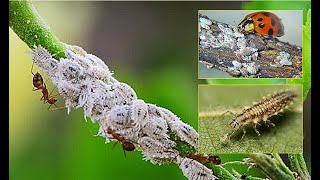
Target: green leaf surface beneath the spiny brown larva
214,100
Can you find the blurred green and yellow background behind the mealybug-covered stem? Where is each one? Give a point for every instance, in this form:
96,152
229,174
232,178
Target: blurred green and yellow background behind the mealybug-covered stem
152,46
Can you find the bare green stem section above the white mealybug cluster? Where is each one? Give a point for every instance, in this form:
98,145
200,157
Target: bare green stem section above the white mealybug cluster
29,26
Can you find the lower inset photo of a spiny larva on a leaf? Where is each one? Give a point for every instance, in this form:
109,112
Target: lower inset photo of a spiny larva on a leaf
250,119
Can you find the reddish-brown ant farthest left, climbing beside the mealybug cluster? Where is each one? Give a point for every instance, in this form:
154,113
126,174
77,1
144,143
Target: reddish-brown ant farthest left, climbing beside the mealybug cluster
40,85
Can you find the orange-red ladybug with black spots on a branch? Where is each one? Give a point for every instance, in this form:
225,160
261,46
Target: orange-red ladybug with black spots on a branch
263,23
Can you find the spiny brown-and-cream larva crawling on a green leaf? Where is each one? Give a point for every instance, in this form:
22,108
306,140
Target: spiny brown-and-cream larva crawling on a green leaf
261,112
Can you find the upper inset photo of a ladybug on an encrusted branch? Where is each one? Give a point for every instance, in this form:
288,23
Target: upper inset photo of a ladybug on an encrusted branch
250,43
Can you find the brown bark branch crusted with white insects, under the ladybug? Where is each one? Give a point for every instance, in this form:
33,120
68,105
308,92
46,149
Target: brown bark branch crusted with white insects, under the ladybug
221,46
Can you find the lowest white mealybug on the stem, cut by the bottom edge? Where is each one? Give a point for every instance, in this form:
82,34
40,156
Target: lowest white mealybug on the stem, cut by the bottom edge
194,170
